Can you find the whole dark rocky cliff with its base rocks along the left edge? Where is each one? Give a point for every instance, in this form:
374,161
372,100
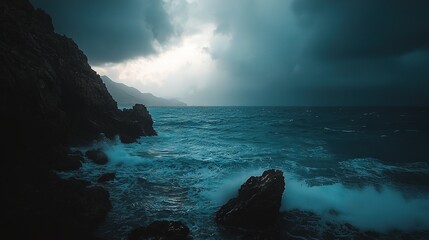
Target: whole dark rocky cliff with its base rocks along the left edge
51,98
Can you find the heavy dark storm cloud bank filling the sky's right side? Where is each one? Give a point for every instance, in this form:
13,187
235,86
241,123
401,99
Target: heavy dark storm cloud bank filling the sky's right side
306,52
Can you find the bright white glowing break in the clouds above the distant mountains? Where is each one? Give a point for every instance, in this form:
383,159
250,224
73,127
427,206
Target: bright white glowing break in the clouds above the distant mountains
181,69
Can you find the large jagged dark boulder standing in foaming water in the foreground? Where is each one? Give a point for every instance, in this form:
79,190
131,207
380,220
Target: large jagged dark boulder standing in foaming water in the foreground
257,204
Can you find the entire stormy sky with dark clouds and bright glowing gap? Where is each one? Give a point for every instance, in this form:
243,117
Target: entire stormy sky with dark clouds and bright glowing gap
256,52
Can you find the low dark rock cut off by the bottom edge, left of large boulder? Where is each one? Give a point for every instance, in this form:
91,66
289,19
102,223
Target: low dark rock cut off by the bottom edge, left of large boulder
166,230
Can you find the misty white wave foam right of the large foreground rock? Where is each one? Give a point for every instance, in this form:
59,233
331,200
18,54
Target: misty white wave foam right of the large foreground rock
367,208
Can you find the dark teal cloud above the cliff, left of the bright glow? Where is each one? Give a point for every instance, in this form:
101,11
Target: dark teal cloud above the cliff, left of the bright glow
111,30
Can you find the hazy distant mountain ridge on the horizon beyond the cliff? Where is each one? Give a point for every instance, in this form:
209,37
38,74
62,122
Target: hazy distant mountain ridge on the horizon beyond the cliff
128,96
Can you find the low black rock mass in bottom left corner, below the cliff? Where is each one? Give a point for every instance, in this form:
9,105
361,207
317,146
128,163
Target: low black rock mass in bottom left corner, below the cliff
47,207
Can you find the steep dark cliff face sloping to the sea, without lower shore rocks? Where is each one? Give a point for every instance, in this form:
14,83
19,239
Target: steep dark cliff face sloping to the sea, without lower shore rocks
49,92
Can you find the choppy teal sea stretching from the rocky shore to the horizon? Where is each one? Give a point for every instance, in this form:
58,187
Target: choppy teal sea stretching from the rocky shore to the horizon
347,170
